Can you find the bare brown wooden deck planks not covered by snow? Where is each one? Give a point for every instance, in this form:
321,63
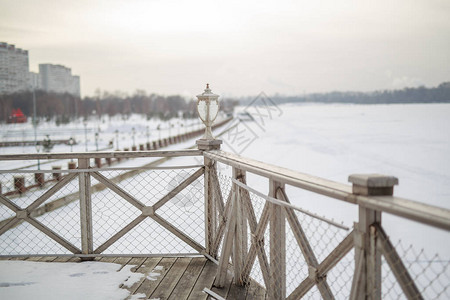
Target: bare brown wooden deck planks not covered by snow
181,277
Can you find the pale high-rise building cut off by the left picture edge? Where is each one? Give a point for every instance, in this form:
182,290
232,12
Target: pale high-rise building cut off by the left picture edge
14,69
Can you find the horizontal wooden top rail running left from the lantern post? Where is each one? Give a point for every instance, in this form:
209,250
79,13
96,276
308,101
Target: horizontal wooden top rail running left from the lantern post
102,154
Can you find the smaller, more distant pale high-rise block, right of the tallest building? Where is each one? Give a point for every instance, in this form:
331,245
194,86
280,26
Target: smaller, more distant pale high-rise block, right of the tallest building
59,79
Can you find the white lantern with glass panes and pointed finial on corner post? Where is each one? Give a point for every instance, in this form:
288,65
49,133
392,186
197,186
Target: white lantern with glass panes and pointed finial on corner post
208,108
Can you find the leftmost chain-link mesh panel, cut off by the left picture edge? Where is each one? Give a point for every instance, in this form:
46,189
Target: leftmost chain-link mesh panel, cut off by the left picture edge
23,238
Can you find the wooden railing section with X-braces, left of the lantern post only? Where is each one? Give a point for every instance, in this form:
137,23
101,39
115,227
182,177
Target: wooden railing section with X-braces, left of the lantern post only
39,202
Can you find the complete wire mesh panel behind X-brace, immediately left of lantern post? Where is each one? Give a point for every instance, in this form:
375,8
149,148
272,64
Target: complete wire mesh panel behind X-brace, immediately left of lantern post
183,210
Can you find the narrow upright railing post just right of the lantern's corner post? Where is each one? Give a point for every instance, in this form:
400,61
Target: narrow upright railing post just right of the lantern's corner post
240,242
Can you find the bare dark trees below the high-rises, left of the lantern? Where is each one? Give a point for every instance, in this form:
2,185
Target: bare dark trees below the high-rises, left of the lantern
64,107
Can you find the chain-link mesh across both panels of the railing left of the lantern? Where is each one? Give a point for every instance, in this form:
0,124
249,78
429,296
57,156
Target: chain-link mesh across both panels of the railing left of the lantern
111,213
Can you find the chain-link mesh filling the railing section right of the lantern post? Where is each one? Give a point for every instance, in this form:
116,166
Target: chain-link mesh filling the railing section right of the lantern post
429,273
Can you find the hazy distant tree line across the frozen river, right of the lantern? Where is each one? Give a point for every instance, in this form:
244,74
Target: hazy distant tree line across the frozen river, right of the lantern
421,94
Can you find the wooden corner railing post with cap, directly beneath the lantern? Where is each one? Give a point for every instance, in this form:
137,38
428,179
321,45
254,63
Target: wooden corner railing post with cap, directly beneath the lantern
210,207
